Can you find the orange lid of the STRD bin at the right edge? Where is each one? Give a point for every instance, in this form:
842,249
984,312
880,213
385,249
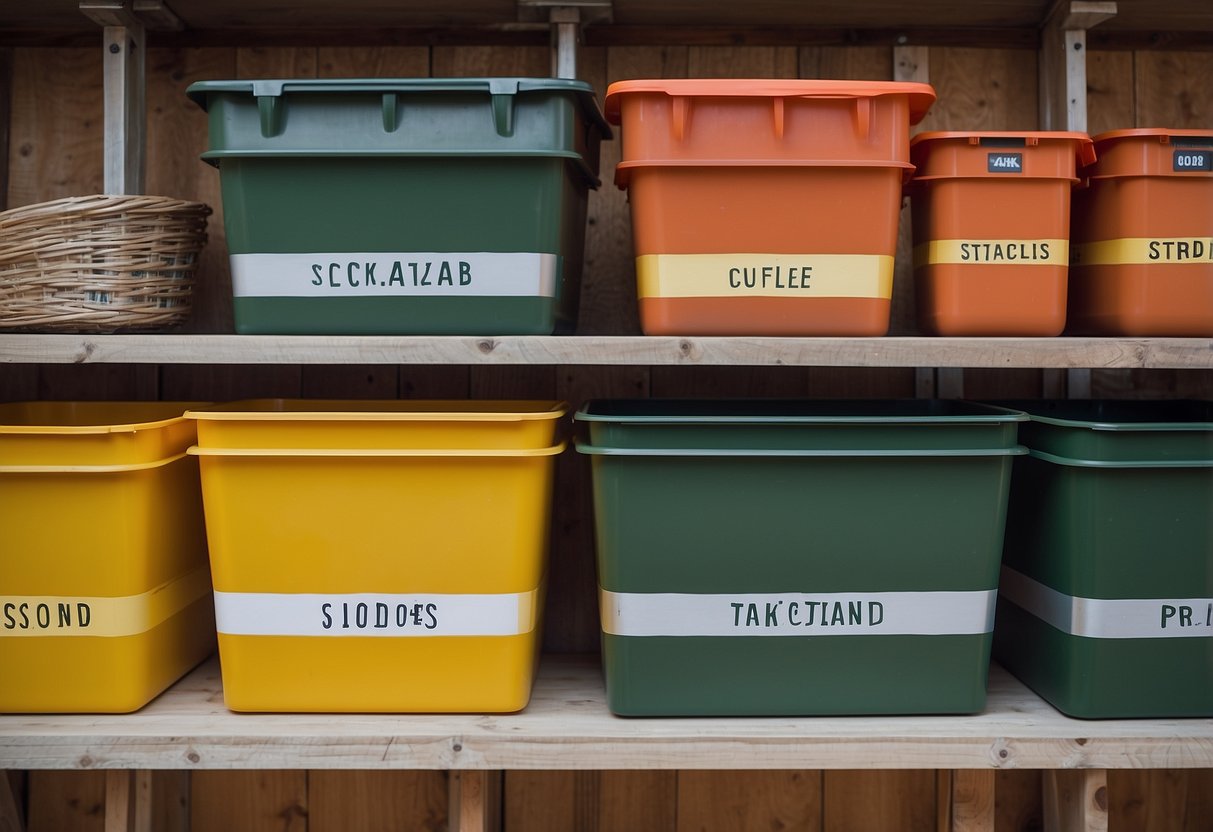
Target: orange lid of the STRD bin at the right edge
1149,152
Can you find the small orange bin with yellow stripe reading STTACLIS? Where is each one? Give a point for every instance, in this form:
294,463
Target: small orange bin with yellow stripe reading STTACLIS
992,230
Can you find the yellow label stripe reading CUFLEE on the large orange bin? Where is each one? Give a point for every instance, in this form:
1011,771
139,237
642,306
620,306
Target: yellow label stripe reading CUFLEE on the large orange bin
765,276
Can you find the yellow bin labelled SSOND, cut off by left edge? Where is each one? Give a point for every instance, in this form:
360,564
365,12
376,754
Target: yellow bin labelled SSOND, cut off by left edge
105,588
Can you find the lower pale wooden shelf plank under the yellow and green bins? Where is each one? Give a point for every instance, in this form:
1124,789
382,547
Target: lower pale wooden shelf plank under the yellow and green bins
568,727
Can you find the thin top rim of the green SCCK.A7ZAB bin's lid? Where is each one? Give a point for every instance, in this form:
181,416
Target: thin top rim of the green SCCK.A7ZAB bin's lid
198,92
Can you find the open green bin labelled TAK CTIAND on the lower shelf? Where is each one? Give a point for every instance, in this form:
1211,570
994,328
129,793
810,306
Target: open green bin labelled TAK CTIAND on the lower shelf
721,546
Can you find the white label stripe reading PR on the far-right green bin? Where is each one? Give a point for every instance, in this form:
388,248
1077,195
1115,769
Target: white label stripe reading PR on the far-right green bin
1109,618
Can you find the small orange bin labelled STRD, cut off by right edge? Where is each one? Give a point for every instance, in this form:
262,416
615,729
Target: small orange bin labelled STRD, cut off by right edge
1143,232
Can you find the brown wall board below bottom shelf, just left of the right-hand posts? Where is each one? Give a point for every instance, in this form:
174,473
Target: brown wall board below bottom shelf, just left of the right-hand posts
863,801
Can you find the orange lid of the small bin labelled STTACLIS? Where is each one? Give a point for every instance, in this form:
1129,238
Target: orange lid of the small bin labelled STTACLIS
966,155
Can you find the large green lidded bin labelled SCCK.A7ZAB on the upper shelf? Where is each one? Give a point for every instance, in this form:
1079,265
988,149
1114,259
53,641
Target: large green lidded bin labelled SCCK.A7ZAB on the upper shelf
405,207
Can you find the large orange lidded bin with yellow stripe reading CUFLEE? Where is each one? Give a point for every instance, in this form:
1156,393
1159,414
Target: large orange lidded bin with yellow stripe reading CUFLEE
765,207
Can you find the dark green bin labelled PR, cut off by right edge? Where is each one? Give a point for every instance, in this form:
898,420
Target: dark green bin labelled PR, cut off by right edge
1106,603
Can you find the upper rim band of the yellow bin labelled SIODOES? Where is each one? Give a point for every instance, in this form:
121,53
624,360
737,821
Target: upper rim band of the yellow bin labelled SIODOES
303,424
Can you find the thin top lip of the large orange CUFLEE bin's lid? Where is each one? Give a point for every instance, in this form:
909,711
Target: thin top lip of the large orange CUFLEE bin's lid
921,96
